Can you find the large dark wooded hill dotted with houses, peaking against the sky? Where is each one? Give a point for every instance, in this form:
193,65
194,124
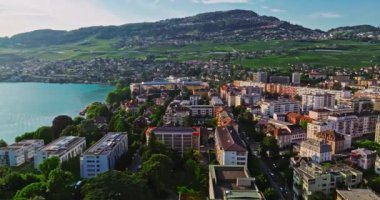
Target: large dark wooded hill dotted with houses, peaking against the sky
234,25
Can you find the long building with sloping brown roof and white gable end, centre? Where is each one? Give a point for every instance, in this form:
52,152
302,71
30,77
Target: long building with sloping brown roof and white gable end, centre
230,150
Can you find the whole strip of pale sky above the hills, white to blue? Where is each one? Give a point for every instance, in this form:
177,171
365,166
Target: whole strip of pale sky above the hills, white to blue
17,16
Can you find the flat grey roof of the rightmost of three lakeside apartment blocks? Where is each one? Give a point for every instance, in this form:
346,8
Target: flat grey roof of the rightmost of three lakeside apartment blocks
106,144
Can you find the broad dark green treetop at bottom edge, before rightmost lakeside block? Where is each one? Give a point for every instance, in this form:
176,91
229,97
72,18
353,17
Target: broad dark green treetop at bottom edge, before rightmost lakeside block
116,185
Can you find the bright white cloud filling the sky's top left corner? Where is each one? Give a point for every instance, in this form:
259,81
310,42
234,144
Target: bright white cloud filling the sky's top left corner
18,16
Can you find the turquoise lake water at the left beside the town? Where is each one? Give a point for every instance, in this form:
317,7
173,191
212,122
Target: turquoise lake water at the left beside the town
27,106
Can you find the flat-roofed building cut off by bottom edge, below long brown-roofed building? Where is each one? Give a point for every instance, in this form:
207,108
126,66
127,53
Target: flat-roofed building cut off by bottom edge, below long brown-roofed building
227,182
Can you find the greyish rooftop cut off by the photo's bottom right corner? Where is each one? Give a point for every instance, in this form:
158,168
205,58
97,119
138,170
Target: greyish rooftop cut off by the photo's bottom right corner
356,194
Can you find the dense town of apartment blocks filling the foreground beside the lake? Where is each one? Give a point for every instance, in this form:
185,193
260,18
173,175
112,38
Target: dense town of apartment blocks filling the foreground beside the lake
270,136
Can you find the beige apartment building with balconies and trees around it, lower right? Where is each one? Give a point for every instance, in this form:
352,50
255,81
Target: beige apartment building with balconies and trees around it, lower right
311,177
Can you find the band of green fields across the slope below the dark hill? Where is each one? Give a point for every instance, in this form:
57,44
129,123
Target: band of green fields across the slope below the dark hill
338,53
